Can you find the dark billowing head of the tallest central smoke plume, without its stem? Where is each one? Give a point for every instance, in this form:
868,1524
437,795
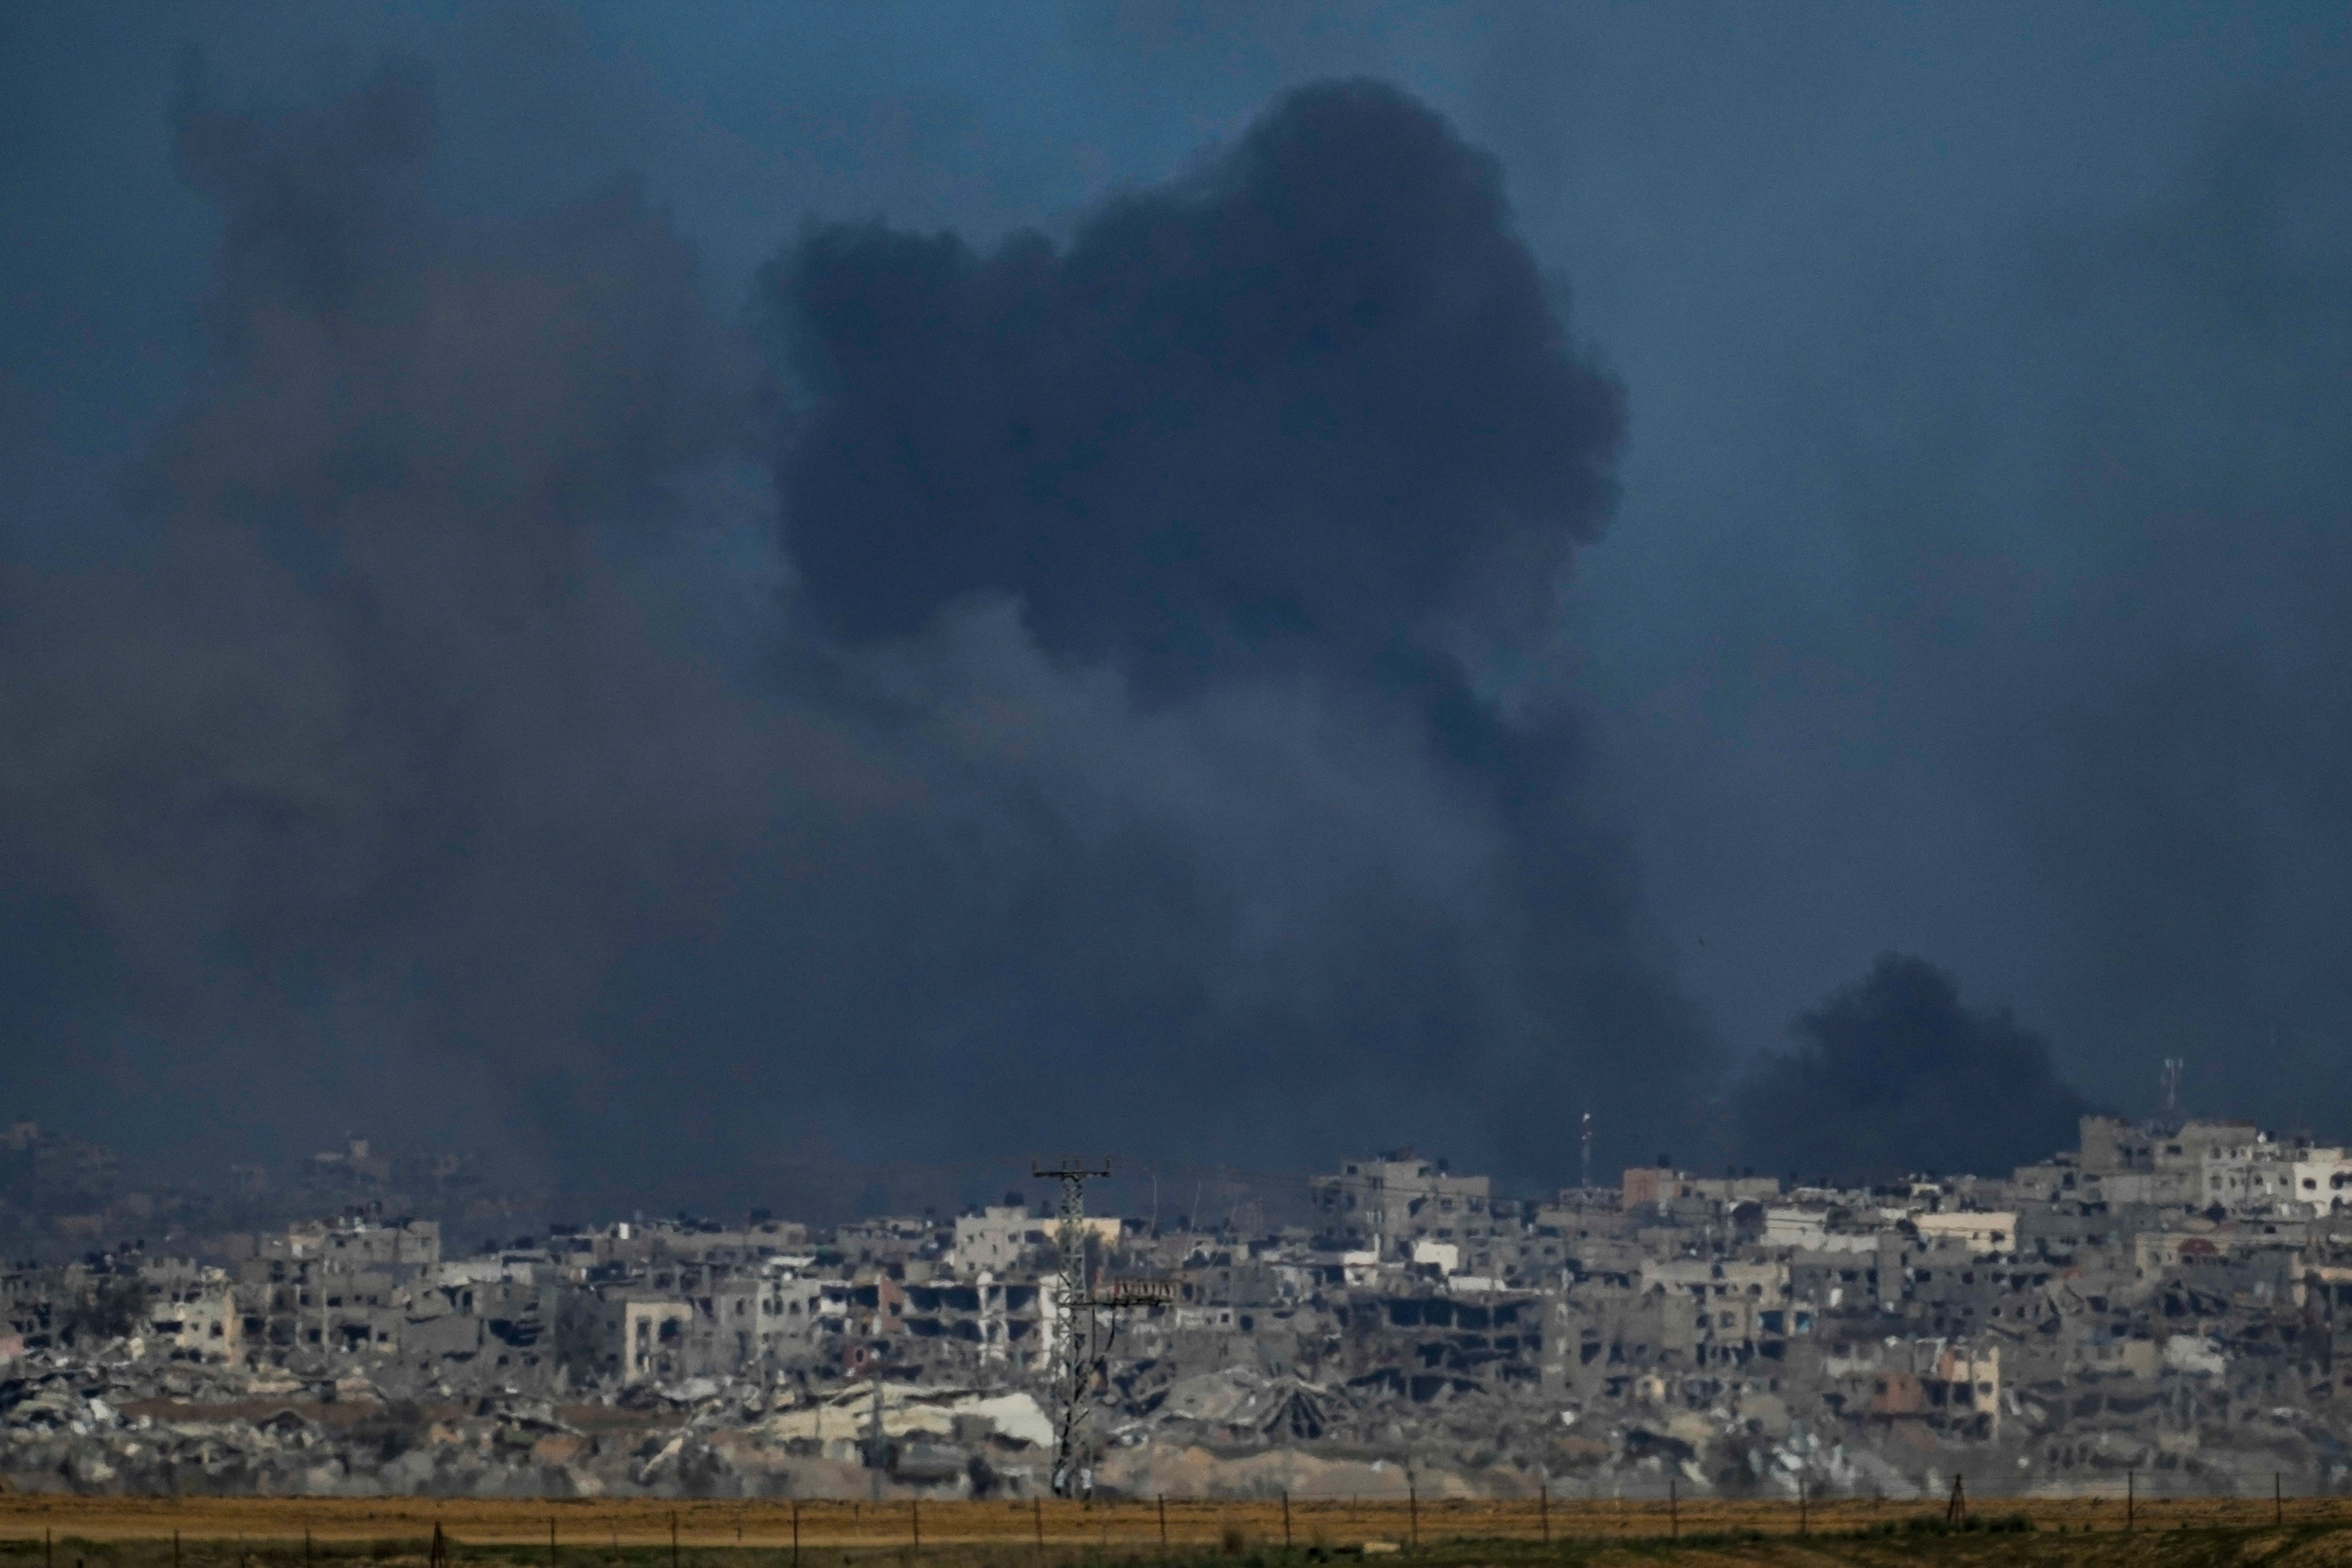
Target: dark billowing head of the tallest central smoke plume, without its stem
1304,406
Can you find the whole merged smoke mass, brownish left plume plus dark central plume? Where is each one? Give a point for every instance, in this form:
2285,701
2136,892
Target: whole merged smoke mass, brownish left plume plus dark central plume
462,758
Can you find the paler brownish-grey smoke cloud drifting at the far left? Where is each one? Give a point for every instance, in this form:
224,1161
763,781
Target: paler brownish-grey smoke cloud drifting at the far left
359,765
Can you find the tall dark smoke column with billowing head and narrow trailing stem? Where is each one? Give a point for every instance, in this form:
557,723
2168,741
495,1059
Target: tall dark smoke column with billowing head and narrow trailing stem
1307,413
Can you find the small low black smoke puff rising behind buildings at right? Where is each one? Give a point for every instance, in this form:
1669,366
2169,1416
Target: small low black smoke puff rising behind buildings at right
1897,1076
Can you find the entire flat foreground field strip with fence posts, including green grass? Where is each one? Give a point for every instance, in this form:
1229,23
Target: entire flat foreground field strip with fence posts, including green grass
55,1532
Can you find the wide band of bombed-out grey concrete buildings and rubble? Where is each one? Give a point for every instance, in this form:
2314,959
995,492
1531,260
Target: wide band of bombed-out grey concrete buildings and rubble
2160,1301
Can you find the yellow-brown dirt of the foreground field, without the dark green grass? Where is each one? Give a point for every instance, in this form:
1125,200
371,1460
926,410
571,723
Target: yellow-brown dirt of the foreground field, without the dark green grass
589,1534
